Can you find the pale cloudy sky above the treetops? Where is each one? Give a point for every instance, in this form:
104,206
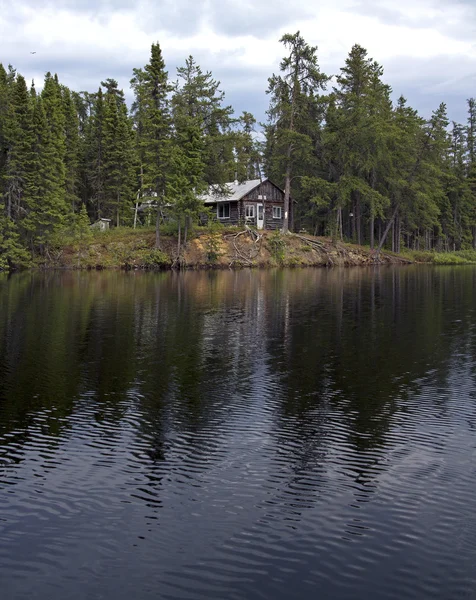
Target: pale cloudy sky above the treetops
427,47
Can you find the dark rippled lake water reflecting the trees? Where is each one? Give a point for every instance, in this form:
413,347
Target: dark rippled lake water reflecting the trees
242,435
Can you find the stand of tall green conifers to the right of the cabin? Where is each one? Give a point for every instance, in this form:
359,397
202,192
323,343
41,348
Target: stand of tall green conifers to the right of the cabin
363,168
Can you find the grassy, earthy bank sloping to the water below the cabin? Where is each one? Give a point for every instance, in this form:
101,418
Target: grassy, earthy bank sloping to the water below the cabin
125,248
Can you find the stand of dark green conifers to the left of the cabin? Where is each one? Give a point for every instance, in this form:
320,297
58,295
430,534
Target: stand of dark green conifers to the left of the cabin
68,158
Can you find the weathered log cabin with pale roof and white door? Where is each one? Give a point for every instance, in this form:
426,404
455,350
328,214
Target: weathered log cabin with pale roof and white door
256,202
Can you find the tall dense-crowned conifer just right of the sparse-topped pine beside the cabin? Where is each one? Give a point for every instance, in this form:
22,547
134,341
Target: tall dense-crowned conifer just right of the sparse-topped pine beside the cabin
359,134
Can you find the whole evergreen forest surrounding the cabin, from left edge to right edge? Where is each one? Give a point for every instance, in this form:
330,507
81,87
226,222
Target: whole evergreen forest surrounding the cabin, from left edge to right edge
358,166
